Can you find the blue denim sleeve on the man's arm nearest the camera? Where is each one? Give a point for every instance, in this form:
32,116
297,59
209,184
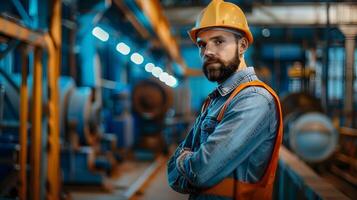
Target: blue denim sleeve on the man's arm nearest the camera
233,140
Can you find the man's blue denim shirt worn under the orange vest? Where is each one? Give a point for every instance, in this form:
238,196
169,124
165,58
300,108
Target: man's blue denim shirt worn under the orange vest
239,146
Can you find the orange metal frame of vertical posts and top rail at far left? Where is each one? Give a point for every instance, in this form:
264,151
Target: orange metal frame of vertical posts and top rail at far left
52,43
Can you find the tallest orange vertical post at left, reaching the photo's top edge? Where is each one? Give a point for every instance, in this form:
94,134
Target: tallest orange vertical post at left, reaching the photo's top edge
53,40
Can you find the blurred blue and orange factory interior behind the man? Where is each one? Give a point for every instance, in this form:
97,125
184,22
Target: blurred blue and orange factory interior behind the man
95,94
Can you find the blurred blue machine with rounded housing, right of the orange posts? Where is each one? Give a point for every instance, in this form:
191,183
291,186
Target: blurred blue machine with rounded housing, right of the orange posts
80,132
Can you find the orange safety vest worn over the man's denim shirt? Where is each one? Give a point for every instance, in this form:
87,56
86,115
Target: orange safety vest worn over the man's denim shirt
263,189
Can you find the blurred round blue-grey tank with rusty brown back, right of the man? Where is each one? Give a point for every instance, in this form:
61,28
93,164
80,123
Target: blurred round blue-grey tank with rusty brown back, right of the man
307,131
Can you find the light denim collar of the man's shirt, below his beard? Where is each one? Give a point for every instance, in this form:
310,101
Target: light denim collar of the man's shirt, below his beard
236,79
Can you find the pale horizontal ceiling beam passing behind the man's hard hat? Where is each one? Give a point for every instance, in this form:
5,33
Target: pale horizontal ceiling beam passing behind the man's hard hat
313,14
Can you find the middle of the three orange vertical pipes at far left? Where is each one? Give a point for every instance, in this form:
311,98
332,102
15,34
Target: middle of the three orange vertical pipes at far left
36,127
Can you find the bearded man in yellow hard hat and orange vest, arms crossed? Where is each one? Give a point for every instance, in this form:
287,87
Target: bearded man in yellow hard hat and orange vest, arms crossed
232,150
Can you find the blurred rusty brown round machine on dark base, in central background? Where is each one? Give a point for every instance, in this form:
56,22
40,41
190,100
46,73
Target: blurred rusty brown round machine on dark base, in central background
151,101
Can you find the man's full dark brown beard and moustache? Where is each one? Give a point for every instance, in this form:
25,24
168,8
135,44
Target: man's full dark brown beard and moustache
217,71
